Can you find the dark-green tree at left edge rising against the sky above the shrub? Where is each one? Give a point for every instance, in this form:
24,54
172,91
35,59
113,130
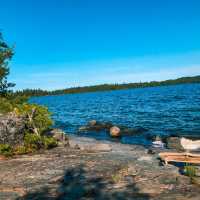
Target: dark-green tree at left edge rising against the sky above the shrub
6,54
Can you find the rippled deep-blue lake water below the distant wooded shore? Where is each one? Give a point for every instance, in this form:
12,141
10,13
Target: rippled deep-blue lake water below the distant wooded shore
161,110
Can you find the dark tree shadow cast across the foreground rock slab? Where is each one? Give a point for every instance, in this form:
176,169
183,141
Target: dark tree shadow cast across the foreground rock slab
77,183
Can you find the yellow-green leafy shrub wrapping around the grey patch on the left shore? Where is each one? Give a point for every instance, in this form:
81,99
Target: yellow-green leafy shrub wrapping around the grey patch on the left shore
36,118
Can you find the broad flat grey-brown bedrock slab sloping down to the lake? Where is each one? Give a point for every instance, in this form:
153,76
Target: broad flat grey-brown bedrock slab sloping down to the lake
91,169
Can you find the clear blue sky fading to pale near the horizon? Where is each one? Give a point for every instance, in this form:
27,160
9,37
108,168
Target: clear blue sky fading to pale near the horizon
65,43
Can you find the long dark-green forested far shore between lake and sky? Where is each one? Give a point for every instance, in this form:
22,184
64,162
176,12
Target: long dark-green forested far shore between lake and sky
107,87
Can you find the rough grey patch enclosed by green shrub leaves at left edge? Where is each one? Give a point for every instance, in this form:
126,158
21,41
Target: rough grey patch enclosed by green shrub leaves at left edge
11,129
